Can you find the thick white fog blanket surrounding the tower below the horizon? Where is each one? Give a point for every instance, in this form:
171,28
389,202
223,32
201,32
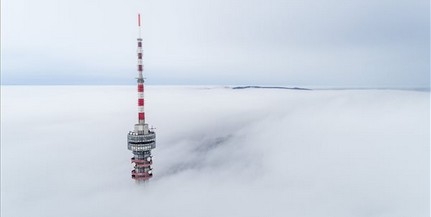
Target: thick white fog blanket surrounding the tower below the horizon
220,152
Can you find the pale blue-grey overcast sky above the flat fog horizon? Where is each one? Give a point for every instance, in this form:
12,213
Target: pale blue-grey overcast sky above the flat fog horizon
350,43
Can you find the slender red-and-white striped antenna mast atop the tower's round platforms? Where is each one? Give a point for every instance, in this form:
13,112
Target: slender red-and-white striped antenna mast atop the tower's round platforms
141,113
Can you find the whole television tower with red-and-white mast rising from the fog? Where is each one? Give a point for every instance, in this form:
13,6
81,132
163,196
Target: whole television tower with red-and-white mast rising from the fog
142,139
